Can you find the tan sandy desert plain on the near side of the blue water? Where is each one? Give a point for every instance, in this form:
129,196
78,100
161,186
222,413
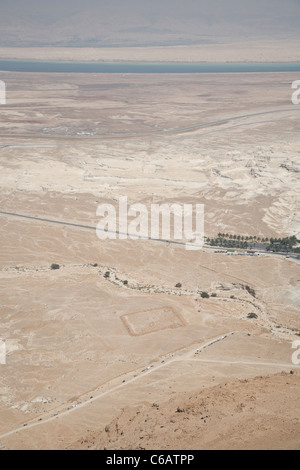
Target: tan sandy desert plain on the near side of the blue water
93,362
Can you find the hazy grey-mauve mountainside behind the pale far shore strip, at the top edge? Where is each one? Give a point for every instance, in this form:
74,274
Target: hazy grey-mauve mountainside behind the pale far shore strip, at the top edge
144,23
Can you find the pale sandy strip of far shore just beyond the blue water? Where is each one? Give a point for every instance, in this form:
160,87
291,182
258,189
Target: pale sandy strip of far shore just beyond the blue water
225,50
